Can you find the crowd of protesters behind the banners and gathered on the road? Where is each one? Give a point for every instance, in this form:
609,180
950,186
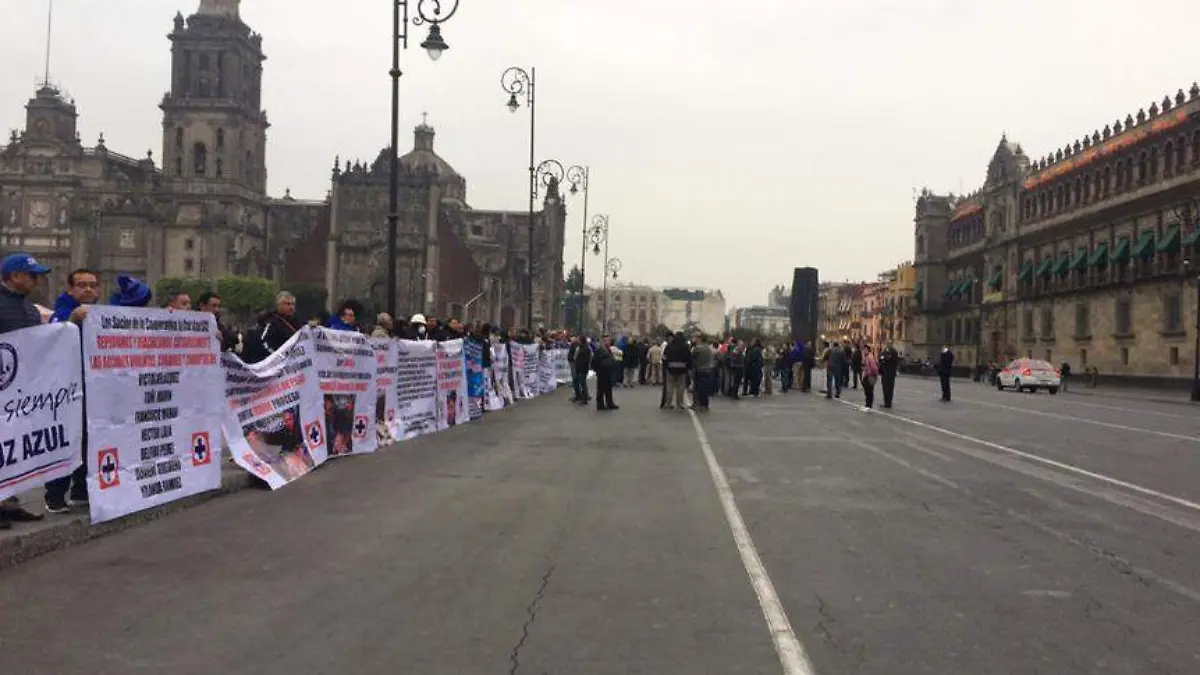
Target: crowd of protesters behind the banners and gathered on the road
699,368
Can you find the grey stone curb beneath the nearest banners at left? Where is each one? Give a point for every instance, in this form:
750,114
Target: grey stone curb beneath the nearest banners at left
69,531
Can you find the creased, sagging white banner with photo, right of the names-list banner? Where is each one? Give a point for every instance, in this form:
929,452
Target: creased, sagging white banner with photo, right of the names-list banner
277,425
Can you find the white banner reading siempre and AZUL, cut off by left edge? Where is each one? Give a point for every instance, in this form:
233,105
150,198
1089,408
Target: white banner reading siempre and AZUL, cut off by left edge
41,391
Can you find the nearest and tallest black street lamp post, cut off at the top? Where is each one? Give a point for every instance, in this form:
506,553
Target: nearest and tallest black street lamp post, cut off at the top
428,13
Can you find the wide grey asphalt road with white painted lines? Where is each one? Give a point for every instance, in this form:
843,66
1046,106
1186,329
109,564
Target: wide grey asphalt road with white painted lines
999,534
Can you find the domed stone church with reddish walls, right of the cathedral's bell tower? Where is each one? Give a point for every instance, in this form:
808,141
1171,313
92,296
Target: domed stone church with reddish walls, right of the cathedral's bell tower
452,260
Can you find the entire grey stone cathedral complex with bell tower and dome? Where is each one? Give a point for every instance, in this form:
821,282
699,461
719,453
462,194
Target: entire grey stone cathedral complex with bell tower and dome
202,211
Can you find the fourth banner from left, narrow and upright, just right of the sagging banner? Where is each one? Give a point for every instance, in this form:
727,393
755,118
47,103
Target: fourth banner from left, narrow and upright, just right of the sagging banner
346,366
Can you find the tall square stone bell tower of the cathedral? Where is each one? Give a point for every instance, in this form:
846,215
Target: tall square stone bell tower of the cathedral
213,127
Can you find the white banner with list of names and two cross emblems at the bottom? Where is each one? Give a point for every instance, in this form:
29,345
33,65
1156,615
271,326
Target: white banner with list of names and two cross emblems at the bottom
155,408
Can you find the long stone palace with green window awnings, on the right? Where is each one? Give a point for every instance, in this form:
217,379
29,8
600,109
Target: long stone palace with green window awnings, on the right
1084,256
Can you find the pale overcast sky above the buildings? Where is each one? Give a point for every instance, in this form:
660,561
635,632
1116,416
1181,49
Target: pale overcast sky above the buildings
729,142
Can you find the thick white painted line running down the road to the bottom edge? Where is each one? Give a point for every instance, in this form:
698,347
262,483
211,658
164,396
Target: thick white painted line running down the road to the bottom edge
788,647
